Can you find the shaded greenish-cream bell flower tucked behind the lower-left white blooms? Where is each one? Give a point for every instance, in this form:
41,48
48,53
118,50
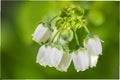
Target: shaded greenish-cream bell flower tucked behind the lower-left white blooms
65,62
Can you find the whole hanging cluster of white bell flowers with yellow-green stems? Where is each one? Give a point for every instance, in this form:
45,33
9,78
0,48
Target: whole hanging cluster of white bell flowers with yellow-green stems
55,41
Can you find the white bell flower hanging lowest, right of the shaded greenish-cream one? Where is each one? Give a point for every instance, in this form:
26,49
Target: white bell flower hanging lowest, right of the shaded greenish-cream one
80,60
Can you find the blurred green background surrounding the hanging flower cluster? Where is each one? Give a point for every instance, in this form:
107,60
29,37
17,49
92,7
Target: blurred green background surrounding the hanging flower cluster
18,51
